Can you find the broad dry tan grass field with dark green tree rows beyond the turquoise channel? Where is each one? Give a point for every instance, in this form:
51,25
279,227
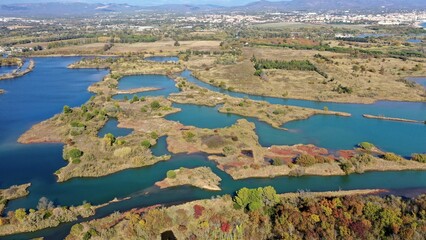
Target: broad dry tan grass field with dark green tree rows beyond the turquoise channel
370,78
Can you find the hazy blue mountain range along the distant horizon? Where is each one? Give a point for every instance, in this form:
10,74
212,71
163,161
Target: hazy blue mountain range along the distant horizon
82,9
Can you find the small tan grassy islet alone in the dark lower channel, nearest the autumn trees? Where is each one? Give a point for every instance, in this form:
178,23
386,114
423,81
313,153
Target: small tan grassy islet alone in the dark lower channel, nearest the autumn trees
201,177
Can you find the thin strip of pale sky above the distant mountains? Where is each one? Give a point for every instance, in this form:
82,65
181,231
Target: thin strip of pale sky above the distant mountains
146,2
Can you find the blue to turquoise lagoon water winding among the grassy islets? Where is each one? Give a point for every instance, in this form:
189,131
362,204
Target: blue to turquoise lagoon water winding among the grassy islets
42,93
